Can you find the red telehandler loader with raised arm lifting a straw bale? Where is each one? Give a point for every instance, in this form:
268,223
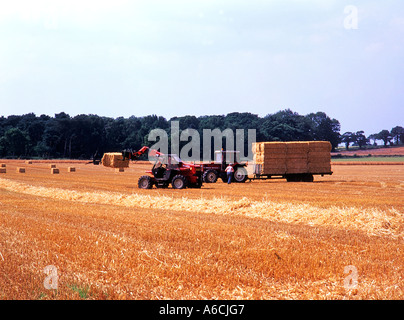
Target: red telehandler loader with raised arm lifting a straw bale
168,168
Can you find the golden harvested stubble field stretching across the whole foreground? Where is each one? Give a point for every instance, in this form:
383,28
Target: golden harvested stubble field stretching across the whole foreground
340,237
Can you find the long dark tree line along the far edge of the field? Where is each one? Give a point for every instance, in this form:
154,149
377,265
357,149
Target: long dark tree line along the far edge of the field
82,136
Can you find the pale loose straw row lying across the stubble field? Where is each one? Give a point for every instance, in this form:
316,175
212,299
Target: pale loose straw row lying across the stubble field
372,221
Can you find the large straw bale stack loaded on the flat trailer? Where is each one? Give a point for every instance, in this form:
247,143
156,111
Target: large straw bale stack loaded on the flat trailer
295,161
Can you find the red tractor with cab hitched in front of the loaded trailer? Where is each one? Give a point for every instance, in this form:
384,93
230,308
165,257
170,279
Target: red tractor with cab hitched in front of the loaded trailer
214,170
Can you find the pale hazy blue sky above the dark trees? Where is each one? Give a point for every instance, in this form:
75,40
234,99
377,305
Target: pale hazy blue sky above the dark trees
205,57
